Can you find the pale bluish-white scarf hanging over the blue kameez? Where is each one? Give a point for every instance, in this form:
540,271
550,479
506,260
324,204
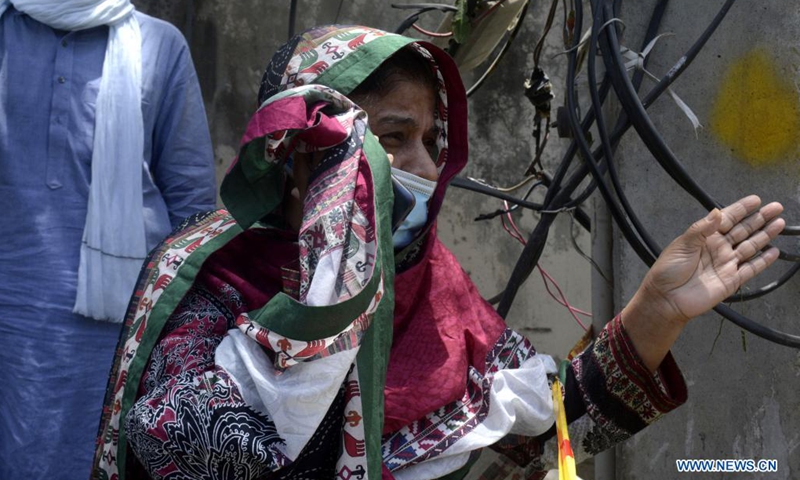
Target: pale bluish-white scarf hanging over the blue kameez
113,247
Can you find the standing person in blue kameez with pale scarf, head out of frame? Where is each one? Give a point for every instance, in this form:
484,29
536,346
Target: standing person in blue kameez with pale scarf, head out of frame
104,148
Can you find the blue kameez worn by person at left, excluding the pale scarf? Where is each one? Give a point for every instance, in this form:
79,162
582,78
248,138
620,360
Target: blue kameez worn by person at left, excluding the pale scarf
54,364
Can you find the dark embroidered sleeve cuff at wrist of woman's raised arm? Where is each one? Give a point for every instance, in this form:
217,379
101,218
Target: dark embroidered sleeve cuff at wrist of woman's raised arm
621,395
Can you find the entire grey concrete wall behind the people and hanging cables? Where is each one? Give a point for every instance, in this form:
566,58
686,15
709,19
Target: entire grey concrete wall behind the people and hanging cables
743,393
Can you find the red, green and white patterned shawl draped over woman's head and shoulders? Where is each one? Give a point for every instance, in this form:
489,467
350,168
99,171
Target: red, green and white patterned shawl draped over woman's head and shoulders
345,246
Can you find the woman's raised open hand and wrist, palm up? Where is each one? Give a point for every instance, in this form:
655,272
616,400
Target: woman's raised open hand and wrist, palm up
699,269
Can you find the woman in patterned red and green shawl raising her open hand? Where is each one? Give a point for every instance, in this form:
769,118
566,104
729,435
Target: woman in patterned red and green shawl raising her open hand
299,337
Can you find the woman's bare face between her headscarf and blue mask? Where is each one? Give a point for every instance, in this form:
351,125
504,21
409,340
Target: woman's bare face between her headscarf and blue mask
403,120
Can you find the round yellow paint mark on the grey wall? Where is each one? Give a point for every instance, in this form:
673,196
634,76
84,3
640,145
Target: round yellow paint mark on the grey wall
757,112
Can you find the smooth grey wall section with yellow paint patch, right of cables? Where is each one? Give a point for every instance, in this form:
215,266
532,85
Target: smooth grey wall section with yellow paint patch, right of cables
743,391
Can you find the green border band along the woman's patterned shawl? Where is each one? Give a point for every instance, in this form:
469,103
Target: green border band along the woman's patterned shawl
251,200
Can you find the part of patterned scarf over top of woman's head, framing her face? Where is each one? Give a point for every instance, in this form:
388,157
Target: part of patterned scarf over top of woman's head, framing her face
365,62
